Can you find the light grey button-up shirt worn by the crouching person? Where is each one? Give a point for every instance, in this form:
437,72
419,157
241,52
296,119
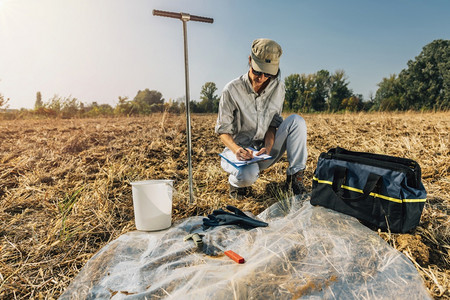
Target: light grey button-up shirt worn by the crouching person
245,115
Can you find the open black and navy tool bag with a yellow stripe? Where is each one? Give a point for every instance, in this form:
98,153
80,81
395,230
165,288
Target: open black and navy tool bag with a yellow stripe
380,190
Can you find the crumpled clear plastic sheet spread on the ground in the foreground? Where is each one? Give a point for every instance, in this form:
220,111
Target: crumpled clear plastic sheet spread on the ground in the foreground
306,252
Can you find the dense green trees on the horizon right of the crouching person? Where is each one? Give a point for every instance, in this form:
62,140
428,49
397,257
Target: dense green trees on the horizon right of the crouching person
423,85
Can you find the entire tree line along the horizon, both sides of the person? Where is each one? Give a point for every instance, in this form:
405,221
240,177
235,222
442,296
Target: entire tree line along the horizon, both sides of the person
423,85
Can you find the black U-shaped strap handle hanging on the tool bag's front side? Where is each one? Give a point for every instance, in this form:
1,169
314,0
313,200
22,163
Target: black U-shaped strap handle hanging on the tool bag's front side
340,174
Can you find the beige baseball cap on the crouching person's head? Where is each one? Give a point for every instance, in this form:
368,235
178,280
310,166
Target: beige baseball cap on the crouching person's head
266,56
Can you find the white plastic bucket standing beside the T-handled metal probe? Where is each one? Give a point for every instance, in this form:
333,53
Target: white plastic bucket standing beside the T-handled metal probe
152,202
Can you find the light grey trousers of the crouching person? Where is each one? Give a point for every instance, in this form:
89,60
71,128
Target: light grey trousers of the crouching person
290,137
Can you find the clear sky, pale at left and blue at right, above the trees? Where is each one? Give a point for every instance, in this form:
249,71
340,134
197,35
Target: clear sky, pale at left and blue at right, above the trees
98,50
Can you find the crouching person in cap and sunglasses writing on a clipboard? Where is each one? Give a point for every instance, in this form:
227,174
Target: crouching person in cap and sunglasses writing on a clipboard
250,116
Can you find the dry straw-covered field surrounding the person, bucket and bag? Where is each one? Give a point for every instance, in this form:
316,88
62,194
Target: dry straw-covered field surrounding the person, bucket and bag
65,192
